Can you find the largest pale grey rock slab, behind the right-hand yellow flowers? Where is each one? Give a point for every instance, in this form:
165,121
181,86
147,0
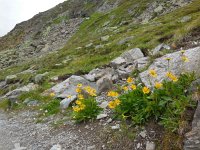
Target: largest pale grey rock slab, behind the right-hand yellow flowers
177,66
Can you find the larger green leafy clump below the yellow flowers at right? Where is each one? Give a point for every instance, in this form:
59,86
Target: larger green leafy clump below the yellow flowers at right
166,104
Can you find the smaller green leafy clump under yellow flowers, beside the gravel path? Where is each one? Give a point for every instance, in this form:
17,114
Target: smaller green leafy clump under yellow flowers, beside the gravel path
90,110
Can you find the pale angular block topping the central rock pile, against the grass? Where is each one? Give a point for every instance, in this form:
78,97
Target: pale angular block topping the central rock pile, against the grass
132,55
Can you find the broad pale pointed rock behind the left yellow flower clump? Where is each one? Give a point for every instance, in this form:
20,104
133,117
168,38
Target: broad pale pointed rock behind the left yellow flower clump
68,87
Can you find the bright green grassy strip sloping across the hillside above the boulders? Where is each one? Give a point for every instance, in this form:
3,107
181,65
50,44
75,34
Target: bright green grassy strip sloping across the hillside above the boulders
163,29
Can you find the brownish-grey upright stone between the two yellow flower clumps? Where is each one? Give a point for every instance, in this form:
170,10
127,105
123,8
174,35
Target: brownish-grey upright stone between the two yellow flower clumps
104,84
